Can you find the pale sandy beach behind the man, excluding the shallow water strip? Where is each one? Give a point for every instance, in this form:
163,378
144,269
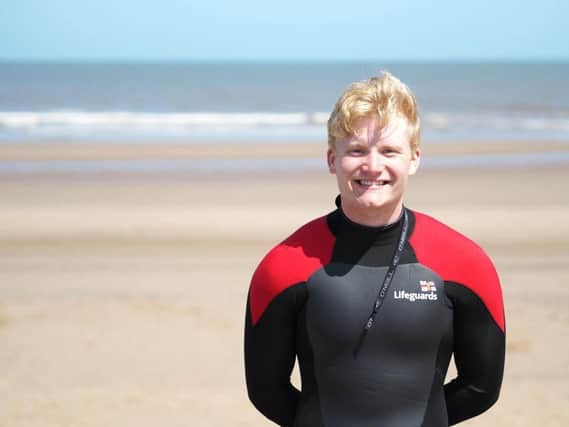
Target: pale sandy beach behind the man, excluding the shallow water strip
122,295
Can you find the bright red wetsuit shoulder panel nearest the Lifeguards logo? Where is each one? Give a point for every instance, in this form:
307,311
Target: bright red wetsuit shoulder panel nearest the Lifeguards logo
458,259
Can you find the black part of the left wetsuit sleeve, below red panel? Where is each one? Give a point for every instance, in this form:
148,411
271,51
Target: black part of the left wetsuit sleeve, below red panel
269,359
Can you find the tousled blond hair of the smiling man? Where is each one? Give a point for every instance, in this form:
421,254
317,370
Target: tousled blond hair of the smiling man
384,97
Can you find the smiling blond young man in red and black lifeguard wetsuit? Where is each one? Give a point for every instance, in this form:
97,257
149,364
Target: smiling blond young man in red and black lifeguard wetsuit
374,298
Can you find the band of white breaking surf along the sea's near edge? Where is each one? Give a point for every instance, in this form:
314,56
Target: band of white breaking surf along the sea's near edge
307,125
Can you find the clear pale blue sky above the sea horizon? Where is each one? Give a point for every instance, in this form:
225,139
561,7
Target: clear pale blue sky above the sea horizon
257,30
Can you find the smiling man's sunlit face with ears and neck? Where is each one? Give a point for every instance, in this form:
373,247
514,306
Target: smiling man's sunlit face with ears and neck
372,167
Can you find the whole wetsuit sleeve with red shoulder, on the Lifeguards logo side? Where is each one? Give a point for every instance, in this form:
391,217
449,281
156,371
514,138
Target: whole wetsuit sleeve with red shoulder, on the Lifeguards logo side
473,286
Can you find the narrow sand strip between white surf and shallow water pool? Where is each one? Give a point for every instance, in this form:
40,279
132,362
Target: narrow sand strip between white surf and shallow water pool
160,150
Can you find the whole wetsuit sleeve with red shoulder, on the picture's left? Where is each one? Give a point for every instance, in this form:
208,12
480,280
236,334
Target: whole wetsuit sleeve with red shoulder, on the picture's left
276,295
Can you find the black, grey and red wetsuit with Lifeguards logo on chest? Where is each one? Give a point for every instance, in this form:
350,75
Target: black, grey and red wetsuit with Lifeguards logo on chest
311,296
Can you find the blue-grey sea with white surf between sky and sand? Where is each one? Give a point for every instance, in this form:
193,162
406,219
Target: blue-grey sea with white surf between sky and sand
270,102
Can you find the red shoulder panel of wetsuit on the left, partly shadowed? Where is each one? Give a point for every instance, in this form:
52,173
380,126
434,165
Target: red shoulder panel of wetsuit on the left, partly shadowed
289,263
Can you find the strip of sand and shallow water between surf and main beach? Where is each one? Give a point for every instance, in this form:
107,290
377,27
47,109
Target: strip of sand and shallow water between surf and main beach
233,159
